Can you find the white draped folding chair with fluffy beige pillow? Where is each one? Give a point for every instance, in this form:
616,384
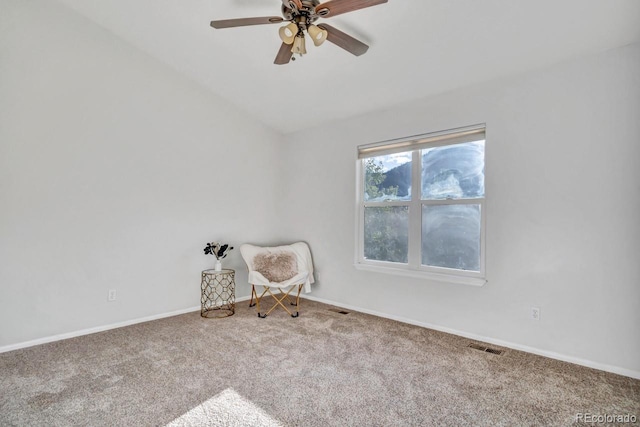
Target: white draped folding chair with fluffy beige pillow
283,268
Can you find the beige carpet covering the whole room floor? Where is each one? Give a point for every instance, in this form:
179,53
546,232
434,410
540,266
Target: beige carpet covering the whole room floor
321,369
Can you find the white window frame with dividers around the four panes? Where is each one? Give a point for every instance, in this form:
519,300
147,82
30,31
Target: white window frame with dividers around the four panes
414,267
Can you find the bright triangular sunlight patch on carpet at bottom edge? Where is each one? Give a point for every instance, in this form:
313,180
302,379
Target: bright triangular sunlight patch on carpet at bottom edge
227,408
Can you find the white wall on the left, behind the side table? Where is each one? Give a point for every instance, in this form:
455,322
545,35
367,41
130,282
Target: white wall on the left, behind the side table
114,173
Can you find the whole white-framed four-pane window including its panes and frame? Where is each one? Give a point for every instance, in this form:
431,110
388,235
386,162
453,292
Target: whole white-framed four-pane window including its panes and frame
421,206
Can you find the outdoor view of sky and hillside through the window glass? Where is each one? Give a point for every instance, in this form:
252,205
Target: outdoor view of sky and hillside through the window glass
451,188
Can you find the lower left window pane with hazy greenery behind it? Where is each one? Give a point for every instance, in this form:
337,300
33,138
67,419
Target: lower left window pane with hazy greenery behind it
386,233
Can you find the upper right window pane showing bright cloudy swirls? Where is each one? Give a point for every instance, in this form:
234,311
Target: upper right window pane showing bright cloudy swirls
453,172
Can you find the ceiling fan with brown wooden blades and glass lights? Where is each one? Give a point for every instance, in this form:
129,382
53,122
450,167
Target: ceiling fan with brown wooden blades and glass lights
302,15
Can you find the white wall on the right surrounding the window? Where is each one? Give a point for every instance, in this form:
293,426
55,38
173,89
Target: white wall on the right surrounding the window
563,231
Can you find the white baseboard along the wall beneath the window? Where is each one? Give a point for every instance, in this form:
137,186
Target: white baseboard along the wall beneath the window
550,354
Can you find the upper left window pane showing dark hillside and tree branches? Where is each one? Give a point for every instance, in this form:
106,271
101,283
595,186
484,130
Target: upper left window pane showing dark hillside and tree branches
387,177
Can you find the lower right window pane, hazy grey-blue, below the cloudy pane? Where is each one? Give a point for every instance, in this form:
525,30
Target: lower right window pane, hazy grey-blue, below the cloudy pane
451,236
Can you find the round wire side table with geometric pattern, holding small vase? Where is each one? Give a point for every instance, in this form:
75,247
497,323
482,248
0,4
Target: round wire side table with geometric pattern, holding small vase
218,293
